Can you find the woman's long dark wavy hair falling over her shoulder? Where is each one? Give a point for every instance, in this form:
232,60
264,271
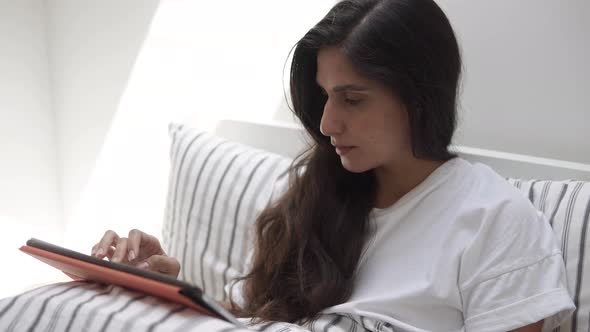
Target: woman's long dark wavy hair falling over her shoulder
309,242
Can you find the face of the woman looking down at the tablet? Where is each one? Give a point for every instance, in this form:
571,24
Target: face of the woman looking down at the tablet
368,125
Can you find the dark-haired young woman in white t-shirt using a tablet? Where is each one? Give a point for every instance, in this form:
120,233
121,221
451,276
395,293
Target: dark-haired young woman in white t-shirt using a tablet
380,218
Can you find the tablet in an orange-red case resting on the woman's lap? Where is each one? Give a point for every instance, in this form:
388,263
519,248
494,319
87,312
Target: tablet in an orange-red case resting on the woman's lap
85,267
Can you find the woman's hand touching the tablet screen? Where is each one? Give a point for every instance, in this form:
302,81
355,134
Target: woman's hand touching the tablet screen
139,249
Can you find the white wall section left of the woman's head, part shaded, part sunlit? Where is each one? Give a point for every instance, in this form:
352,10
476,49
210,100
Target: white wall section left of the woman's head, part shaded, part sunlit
117,86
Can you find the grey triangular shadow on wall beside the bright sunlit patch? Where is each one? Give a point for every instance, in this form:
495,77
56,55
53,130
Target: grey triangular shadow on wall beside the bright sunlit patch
93,48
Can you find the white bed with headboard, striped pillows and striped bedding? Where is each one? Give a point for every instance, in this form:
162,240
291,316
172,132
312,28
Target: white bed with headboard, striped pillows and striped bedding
219,182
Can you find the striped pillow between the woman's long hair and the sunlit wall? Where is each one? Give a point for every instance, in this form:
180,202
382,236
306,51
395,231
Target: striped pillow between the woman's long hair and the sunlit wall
216,189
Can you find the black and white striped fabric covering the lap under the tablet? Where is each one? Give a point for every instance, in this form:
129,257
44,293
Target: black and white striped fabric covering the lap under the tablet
81,306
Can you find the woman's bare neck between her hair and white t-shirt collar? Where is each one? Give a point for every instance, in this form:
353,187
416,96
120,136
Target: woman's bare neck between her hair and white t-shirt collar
396,180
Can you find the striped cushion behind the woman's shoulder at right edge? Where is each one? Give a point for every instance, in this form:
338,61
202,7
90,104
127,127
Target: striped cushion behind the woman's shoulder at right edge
567,207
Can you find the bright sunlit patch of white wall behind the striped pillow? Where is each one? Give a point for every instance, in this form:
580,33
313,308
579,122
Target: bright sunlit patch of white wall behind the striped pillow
200,62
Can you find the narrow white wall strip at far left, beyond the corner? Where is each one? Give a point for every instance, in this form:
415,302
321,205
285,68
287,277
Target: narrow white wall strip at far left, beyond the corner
29,195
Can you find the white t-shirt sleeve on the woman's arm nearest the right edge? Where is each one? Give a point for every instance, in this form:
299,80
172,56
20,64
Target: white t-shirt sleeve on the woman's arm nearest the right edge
512,273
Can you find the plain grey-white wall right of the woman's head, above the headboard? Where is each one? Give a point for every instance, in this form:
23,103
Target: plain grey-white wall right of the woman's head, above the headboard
527,75
